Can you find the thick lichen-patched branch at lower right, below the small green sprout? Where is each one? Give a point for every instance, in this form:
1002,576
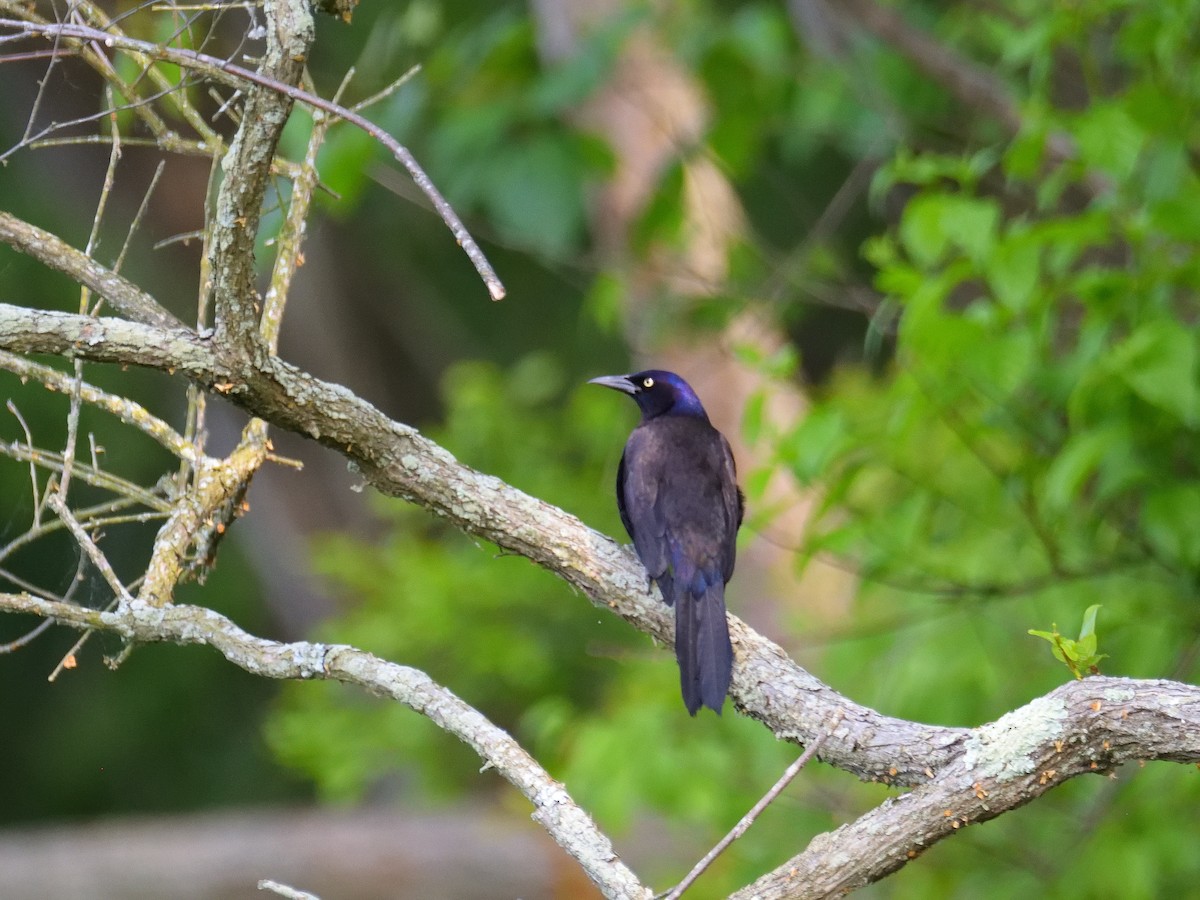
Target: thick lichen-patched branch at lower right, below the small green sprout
1094,725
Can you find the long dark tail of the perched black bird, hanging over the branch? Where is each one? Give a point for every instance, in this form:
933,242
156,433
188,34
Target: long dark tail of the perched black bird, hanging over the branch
703,640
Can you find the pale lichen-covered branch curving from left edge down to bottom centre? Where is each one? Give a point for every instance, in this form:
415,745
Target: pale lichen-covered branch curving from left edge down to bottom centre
554,807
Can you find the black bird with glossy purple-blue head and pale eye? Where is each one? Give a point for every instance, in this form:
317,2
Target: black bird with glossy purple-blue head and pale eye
680,501
